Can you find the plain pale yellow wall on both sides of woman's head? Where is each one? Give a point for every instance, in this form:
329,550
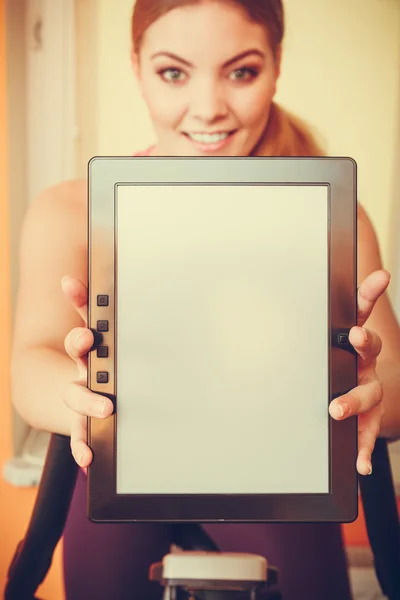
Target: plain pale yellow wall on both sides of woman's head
341,71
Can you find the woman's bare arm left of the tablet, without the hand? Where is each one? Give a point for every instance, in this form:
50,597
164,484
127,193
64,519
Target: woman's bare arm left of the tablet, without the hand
53,243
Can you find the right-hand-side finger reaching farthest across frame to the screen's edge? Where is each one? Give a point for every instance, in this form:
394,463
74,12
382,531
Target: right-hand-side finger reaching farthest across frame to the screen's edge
359,400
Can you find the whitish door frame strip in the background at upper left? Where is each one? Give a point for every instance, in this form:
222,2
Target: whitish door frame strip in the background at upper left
51,102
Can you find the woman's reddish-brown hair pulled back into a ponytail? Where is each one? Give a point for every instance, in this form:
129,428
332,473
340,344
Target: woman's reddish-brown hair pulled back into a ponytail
285,134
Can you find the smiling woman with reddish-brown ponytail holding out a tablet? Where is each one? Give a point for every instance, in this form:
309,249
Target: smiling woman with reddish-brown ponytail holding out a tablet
208,71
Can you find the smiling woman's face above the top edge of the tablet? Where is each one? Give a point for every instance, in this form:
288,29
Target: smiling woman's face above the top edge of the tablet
208,76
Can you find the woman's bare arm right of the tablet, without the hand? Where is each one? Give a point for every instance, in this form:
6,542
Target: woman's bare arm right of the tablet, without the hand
383,321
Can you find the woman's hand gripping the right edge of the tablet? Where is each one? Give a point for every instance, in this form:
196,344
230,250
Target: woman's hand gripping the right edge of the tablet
366,399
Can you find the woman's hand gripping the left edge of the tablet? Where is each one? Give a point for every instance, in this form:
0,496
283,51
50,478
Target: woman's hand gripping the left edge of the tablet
83,402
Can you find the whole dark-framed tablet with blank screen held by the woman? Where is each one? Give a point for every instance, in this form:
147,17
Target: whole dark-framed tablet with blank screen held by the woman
222,291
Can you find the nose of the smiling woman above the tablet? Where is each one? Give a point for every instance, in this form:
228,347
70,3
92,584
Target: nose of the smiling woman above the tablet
209,103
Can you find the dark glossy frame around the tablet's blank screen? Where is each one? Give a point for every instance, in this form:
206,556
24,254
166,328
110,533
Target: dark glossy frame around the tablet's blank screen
340,176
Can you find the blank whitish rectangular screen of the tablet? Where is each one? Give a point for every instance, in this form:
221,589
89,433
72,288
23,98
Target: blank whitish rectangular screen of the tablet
222,339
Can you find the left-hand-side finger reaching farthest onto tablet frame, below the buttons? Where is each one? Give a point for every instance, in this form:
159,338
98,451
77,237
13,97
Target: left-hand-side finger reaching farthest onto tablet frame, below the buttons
85,402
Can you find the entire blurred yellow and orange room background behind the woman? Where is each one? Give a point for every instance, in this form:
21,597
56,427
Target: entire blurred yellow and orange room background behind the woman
67,93
